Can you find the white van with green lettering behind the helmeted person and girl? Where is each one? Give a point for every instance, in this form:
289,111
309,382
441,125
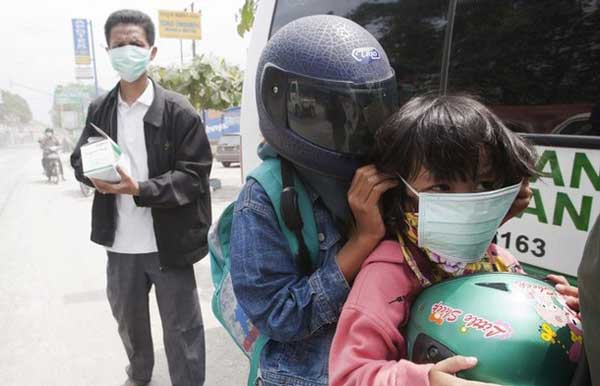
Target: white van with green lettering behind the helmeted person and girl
536,63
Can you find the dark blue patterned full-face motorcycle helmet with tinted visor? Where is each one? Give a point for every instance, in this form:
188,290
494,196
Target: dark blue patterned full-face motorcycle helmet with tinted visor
324,86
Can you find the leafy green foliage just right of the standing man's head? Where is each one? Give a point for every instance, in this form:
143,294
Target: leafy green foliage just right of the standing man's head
208,83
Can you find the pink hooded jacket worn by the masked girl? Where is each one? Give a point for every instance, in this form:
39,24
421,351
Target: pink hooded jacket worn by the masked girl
368,347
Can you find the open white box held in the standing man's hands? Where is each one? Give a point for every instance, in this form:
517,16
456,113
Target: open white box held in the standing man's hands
100,157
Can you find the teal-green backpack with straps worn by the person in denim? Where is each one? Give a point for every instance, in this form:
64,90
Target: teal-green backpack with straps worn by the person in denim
294,211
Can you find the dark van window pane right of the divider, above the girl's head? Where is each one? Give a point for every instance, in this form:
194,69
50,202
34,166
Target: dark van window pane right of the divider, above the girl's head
537,63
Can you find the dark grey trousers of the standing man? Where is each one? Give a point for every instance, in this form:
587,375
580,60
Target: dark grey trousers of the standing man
129,279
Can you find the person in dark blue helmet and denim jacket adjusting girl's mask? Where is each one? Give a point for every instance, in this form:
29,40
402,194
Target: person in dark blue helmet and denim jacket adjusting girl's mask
324,85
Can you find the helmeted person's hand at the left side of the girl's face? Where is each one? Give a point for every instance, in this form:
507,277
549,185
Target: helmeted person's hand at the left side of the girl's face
363,197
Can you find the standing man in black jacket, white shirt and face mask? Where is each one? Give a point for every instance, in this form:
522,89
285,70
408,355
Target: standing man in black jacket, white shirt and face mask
153,222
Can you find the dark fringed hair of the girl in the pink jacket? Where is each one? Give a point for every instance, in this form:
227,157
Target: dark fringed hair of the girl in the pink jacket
449,135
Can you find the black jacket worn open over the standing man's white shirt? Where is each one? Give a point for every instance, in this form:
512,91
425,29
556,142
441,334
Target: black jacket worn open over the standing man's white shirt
179,163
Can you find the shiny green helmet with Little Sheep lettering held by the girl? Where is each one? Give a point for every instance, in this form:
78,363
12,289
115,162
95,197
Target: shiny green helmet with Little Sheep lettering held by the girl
518,327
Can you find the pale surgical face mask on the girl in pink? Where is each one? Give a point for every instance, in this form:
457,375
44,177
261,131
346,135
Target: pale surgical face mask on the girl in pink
461,226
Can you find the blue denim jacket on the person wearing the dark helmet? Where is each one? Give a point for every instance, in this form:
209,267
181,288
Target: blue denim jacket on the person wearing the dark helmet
299,313
